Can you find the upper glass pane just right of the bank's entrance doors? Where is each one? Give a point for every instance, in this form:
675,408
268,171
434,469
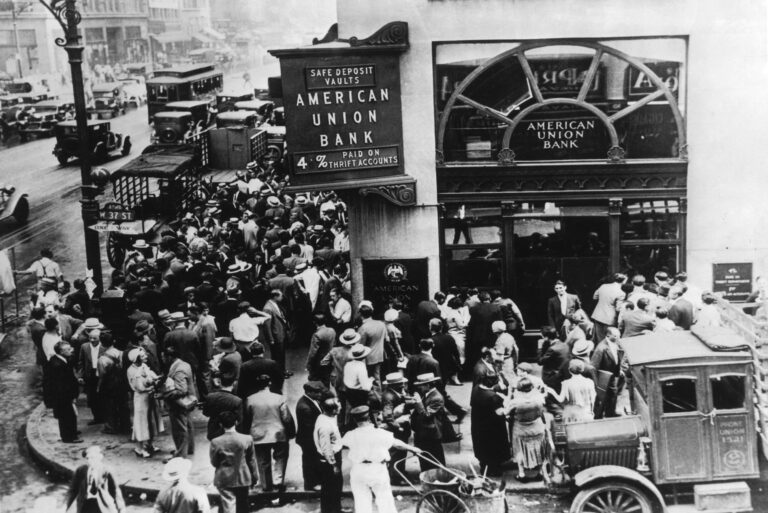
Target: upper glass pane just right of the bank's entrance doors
656,219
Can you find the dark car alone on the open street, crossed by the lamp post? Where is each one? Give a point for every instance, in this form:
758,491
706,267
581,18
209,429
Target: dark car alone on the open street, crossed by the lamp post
100,137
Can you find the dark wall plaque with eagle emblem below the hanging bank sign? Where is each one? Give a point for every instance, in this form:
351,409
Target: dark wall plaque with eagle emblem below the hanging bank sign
405,279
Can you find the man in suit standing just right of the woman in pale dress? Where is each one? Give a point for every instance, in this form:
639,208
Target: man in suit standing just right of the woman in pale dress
180,373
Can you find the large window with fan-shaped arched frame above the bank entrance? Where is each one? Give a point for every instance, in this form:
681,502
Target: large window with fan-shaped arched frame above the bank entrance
563,100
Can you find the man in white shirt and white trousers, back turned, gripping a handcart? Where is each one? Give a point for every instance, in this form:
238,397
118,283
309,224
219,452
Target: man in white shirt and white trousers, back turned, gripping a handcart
369,453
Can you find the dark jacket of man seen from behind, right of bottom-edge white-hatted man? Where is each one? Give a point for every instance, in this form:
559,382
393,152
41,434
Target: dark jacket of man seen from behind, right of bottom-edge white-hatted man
233,457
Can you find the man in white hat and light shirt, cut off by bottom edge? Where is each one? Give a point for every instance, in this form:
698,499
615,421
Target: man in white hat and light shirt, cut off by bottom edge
181,495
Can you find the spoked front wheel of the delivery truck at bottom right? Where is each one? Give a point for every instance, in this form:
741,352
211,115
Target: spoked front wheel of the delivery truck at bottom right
612,497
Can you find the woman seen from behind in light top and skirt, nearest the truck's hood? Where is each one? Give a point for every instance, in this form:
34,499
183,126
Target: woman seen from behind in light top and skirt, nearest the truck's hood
529,440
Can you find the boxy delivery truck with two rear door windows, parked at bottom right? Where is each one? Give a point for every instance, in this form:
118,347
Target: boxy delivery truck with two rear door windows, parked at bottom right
692,429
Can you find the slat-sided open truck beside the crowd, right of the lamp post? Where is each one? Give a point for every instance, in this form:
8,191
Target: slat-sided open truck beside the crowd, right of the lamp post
152,190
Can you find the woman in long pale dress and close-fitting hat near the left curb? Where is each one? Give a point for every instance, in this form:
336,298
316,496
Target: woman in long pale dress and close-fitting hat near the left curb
146,417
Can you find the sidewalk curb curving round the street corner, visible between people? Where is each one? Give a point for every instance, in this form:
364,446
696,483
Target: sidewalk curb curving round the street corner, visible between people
134,493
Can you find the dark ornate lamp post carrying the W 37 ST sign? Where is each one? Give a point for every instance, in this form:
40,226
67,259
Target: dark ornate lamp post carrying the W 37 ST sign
69,18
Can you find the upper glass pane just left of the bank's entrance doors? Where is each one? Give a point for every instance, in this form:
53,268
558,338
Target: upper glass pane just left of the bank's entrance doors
467,224
